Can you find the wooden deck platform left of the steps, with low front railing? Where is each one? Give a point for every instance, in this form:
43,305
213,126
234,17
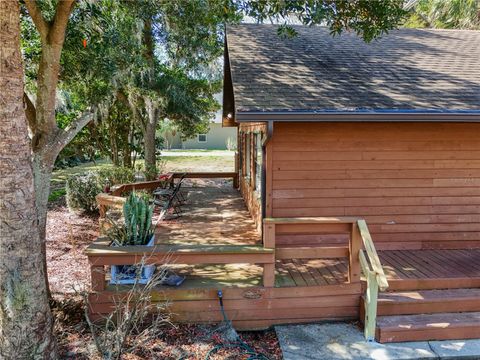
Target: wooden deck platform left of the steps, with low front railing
302,290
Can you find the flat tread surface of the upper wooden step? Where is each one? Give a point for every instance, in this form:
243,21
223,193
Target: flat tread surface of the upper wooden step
429,295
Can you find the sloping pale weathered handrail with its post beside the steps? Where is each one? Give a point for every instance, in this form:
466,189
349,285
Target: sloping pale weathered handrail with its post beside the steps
375,276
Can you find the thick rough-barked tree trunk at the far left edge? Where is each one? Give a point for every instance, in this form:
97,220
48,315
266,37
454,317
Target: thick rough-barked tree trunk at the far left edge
25,317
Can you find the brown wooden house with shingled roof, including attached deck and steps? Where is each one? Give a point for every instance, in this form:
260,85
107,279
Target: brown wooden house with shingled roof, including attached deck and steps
358,173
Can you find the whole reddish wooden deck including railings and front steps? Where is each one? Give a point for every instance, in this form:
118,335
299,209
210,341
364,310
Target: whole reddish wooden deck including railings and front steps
217,247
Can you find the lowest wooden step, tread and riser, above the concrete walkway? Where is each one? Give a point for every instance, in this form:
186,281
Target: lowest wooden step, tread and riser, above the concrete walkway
422,327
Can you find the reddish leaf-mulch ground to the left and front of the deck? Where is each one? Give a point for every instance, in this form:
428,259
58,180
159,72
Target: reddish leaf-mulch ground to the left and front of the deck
68,235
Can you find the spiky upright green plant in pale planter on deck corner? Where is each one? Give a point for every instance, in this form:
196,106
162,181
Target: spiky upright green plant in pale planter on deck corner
136,229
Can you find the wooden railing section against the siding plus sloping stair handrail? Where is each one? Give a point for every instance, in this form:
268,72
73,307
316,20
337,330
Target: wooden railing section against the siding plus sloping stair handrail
361,253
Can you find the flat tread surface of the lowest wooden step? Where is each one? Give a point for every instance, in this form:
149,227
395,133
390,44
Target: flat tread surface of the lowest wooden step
428,321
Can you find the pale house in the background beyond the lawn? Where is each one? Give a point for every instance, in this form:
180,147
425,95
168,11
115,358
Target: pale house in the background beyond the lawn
217,138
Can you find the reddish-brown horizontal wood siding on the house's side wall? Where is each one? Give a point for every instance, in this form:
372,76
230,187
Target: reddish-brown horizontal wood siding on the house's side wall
416,184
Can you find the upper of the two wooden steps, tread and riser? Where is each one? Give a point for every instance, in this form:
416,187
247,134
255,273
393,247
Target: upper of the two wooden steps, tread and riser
428,301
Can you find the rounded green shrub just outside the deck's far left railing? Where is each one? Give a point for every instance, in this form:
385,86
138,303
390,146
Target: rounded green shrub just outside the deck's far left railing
81,189
